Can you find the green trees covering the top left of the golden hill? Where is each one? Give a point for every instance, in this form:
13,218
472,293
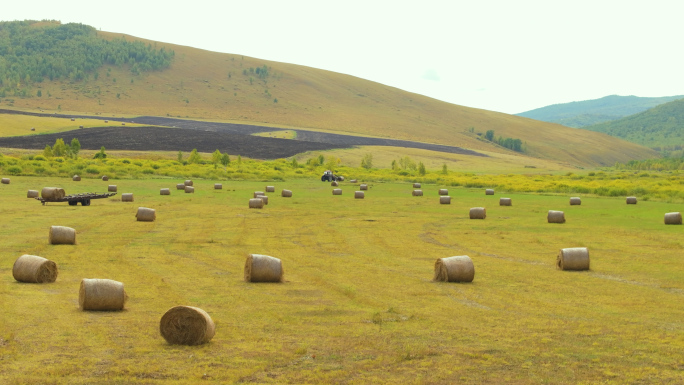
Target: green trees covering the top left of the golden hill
32,51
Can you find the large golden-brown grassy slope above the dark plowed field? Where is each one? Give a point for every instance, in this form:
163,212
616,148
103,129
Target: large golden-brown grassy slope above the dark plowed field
208,85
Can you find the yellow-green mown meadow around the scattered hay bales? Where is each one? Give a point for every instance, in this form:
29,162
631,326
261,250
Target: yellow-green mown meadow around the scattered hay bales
358,304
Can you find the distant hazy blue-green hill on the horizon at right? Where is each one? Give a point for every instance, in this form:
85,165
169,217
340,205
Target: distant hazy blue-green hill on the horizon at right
589,112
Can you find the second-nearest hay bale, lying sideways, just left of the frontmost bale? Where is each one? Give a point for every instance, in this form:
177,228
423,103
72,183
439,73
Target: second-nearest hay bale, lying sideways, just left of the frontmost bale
101,294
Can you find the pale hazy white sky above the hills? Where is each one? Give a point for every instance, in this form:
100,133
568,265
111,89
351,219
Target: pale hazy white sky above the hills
509,55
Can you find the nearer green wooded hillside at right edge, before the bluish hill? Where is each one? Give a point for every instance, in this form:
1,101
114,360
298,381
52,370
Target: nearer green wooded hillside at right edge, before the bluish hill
661,127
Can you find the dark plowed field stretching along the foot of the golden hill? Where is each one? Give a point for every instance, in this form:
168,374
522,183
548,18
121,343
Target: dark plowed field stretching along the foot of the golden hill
184,135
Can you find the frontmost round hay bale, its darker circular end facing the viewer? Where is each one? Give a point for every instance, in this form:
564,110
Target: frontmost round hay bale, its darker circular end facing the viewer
187,325
